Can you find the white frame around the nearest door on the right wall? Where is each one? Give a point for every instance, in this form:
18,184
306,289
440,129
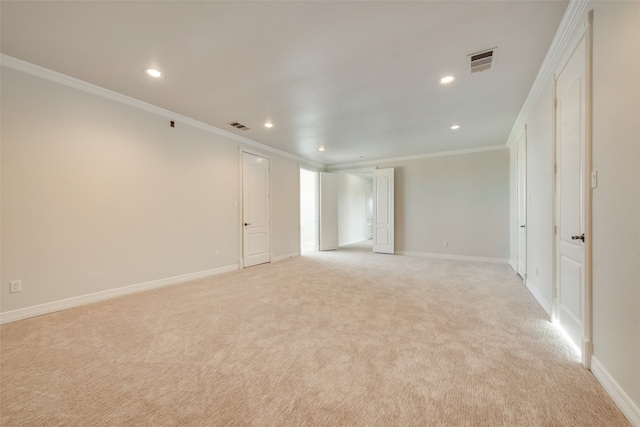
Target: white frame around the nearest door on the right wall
587,191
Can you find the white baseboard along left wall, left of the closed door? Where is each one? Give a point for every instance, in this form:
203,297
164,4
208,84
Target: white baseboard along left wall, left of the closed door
50,307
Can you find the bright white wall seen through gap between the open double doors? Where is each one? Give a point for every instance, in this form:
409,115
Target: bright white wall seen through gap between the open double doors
352,209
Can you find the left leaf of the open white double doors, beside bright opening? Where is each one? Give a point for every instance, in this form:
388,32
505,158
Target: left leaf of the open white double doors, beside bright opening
328,211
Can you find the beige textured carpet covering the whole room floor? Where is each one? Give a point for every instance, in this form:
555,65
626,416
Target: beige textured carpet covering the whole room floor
345,338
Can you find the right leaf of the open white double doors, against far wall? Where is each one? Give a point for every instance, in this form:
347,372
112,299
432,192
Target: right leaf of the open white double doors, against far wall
383,237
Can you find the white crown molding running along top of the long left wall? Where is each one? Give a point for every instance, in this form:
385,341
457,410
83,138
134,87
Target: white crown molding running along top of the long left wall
63,79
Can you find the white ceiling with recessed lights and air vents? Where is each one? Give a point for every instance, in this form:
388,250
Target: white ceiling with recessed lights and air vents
359,77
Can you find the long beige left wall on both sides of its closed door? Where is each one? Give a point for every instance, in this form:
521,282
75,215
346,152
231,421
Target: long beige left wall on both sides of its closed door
98,195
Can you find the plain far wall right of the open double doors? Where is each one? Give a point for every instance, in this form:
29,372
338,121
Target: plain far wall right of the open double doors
461,198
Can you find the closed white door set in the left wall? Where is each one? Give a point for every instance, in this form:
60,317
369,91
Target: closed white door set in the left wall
255,209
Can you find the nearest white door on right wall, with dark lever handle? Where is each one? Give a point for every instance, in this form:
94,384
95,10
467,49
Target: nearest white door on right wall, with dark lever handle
570,159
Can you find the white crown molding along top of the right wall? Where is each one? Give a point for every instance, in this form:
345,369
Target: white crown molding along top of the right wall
563,39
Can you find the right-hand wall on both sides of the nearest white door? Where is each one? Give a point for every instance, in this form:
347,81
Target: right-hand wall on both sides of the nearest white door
616,209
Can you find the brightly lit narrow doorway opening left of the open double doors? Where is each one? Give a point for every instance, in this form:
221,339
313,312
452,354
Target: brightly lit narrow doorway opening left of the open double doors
308,211
